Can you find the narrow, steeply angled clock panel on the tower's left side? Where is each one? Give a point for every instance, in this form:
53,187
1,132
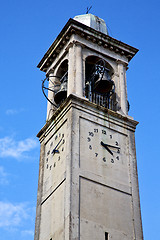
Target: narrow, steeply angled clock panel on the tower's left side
54,159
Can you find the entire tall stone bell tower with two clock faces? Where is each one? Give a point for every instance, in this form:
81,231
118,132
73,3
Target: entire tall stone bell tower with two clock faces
88,183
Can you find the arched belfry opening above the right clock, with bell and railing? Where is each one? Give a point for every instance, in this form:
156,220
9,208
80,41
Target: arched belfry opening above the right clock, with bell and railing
99,86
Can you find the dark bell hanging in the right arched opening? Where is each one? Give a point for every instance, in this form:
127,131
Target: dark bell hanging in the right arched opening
103,84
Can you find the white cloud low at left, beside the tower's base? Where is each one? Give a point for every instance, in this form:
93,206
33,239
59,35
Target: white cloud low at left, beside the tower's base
13,215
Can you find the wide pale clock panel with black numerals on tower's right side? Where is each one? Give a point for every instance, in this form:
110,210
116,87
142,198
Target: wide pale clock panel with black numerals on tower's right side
103,150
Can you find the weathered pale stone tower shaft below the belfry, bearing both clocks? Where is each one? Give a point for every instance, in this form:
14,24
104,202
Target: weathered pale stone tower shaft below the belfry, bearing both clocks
88,191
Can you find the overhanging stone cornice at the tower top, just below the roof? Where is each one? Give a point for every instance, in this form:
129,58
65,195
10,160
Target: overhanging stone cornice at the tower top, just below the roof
90,34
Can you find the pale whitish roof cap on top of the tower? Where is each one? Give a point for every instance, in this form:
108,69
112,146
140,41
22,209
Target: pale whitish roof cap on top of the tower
92,21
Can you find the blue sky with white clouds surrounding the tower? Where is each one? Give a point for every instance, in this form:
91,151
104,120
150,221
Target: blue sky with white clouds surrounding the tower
27,29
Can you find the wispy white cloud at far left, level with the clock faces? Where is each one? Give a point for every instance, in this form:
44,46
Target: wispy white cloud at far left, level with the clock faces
11,148
